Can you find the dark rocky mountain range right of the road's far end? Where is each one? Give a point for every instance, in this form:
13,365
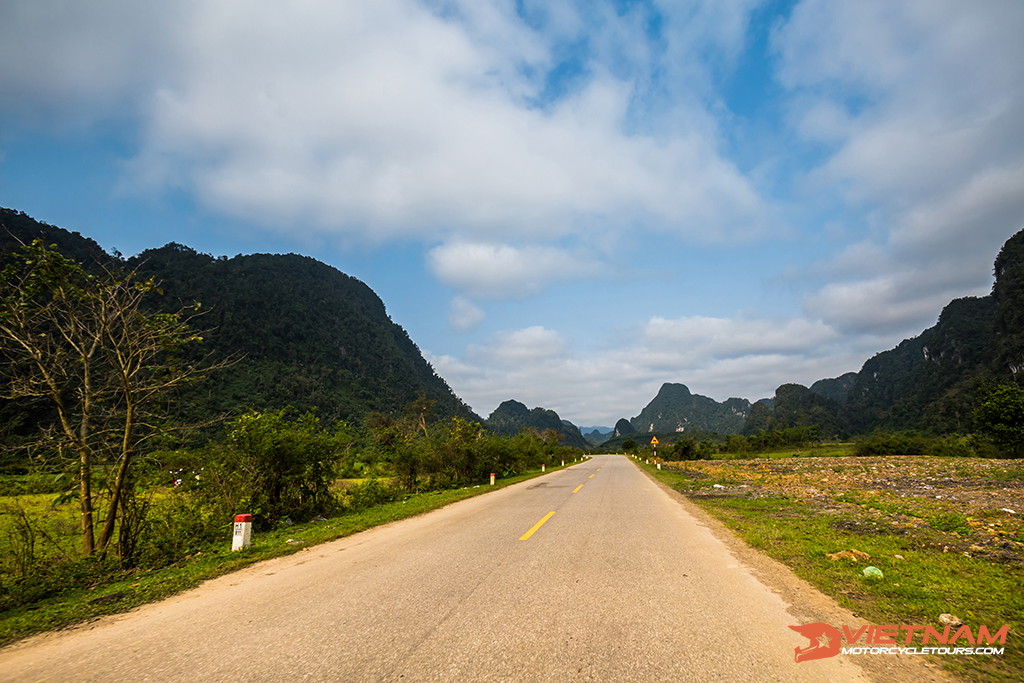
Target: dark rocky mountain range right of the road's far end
927,383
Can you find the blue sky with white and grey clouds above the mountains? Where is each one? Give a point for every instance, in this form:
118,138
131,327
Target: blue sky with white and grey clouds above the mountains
568,203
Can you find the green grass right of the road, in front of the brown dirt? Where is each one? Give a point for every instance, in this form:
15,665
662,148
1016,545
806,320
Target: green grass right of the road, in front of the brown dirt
922,579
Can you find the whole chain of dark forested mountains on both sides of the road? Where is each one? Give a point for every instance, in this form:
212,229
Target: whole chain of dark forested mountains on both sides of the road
311,336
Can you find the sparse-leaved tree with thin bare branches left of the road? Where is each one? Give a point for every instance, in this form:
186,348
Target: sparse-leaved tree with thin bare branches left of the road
87,344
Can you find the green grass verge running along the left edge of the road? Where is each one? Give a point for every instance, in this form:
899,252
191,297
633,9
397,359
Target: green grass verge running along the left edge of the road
133,589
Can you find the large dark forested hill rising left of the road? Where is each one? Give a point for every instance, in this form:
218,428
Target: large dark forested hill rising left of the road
306,334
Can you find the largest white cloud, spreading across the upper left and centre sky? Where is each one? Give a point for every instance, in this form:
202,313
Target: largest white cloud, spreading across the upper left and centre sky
385,120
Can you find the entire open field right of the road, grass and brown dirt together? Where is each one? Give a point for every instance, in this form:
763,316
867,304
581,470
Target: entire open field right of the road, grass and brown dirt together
948,535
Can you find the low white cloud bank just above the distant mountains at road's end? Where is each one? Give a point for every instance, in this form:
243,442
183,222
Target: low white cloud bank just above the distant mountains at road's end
719,358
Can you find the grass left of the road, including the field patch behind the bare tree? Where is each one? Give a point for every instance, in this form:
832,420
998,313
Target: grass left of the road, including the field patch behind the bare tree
84,601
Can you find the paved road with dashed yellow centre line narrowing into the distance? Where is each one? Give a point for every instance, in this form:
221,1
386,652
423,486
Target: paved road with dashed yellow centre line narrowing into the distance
593,573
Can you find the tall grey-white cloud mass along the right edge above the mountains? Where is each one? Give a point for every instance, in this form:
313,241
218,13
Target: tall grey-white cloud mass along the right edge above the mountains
920,102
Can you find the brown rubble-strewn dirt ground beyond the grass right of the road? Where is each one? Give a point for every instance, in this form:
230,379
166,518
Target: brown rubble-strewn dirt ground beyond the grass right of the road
974,507
